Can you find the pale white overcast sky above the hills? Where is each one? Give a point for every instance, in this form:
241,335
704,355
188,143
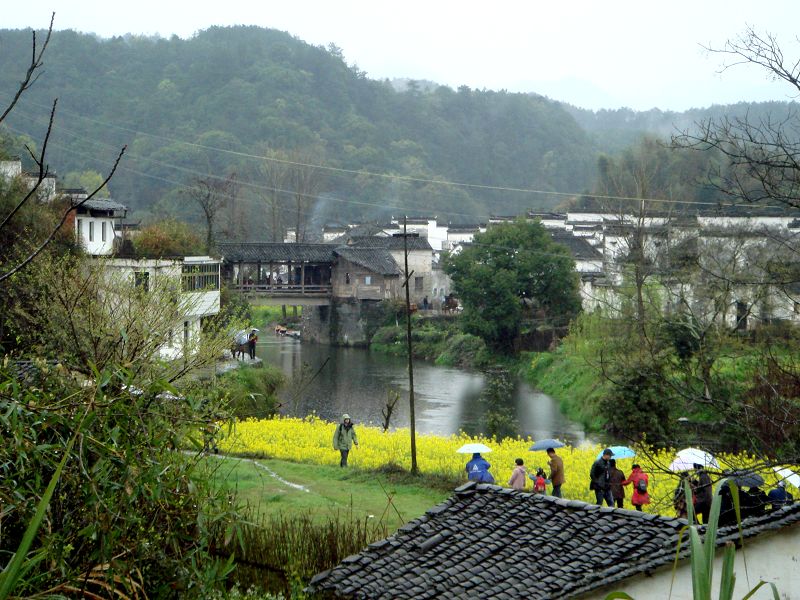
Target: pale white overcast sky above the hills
594,54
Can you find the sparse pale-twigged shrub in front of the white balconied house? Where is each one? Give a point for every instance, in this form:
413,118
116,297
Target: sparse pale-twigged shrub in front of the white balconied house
92,316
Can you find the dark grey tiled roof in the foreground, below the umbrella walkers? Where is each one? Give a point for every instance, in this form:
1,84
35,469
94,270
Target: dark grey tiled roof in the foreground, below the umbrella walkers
487,541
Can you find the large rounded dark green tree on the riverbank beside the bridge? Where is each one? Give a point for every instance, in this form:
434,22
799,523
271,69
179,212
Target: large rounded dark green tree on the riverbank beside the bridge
513,272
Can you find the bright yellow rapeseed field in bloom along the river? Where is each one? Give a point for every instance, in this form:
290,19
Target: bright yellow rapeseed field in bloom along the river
310,440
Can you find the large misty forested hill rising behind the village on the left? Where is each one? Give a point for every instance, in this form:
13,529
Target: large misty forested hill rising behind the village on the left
179,104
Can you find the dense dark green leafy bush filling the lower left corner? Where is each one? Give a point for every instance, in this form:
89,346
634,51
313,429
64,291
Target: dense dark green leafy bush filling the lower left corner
124,500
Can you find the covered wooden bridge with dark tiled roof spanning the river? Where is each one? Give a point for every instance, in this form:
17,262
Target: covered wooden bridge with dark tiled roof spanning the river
278,273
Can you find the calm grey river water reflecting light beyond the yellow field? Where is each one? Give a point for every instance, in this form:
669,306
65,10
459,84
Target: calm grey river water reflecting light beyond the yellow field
330,381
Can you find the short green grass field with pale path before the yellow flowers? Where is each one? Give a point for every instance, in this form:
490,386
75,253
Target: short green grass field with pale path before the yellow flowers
271,487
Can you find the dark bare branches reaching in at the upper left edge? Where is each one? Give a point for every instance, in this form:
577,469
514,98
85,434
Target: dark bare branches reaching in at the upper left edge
32,74
